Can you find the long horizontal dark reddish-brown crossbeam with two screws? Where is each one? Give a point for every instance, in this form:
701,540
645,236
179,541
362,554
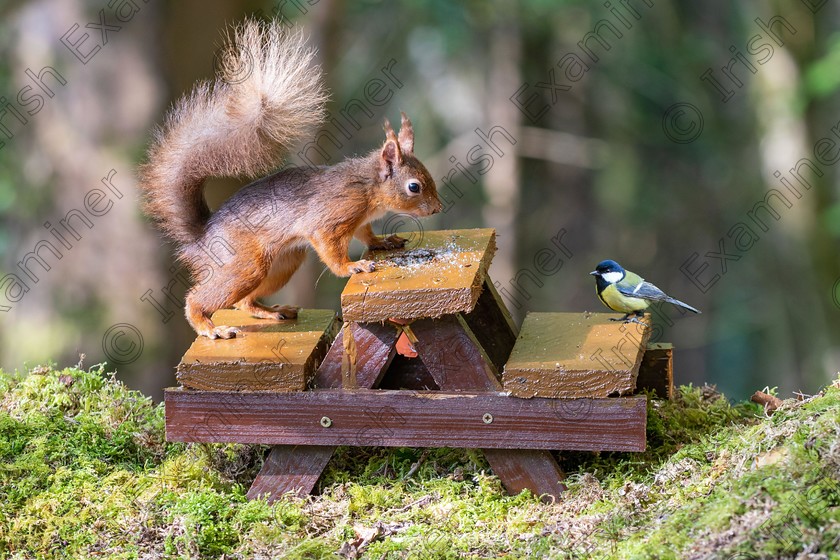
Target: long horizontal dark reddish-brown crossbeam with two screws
404,419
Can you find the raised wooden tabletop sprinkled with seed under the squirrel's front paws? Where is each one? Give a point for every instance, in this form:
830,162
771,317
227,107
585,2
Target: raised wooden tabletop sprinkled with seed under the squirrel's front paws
439,273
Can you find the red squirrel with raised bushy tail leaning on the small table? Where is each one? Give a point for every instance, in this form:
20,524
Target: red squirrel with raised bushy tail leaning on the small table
257,239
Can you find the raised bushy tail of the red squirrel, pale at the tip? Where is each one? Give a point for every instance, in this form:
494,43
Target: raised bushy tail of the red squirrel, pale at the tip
267,97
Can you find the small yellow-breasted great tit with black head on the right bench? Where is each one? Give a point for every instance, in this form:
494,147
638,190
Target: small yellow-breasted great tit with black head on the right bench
627,292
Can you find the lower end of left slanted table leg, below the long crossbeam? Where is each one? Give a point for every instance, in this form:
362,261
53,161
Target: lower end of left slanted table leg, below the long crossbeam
290,469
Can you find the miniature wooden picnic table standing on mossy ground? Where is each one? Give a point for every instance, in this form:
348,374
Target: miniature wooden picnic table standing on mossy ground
418,362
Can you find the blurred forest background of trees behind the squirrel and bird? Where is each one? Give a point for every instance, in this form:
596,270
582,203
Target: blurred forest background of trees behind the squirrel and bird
645,131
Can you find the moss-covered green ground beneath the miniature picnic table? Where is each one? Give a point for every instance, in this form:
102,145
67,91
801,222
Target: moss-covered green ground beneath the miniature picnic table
85,472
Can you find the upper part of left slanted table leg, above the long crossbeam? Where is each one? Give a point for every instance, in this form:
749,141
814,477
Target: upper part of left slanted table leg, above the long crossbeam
360,363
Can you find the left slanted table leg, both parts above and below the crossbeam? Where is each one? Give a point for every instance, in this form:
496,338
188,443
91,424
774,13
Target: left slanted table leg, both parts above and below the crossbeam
356,361
